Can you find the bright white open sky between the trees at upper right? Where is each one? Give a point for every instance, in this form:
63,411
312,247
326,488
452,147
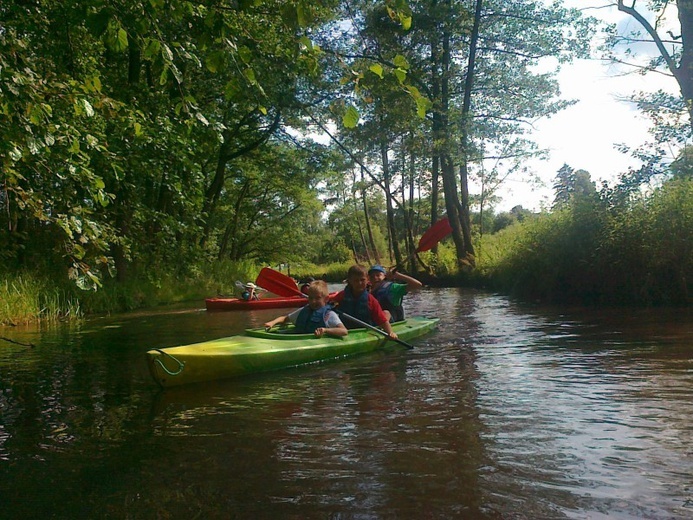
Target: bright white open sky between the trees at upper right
584,136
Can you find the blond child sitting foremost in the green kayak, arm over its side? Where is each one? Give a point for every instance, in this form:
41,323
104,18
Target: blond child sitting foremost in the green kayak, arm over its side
315,318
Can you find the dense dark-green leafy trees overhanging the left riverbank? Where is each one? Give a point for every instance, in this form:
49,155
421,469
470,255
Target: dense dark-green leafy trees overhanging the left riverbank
122,123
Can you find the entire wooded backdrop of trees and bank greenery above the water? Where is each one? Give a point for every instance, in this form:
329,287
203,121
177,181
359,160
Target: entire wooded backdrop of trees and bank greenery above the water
157,151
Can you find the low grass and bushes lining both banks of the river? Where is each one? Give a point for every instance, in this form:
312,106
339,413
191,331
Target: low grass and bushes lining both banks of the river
586,253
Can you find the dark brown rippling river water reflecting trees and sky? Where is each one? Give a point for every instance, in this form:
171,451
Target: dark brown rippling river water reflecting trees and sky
506,411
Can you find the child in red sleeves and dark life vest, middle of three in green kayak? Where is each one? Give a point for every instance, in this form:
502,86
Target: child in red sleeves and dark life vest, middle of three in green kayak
356,301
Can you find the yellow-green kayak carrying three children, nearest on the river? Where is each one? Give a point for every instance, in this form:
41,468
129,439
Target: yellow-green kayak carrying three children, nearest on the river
259,351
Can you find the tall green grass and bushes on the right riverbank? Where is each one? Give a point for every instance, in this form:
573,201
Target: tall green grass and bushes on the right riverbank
591,252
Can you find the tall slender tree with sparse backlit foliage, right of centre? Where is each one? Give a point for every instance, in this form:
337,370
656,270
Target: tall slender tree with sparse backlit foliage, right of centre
473,61
